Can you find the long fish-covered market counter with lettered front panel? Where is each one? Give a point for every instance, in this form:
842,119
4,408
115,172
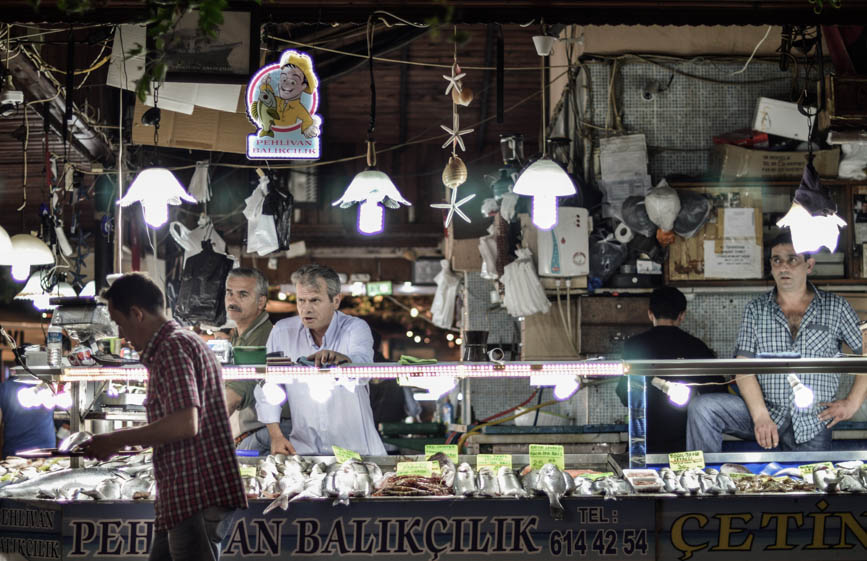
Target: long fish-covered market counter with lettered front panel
317,507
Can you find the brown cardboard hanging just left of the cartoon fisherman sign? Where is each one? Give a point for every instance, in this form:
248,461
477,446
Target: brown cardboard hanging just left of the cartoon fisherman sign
204,129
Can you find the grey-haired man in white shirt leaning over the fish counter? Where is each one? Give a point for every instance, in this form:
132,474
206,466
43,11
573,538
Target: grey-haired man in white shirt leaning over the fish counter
323,414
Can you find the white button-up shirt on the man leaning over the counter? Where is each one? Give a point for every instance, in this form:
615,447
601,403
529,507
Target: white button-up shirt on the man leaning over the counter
345,418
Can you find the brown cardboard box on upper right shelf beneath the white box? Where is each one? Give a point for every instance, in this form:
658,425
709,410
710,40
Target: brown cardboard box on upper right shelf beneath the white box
734,162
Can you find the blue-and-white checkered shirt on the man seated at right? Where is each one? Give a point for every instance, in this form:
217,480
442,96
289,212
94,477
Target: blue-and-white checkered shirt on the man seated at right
828,322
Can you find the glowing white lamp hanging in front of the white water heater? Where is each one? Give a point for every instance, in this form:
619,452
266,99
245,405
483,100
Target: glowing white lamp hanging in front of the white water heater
544,180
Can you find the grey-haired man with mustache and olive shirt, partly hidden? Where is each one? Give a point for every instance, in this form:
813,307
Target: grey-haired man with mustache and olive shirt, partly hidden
246,297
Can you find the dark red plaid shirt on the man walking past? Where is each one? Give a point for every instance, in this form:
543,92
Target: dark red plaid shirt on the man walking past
199,472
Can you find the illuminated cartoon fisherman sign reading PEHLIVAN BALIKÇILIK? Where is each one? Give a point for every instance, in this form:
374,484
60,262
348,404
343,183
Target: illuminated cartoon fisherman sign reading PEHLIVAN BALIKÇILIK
281,101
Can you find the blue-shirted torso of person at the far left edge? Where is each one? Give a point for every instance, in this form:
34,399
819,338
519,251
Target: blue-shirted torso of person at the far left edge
23,428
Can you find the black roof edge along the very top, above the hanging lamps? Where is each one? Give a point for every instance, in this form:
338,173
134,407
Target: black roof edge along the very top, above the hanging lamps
582,12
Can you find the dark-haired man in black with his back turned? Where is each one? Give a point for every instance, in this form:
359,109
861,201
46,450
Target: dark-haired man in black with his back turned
666,421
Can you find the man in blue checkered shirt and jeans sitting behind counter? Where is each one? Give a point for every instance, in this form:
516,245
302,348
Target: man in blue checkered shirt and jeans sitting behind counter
794,317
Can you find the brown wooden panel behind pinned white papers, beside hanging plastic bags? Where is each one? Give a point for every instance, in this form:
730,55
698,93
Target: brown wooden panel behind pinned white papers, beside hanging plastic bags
686,256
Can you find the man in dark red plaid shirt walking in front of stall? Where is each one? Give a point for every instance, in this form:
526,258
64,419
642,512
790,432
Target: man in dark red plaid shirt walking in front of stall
197,476
